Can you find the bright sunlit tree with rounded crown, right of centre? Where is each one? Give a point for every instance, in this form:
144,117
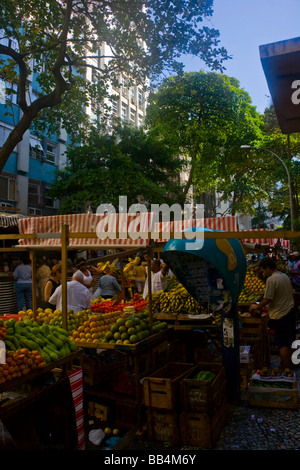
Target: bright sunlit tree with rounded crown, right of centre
208,117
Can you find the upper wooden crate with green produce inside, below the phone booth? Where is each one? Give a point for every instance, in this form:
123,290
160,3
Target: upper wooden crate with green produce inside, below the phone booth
200,395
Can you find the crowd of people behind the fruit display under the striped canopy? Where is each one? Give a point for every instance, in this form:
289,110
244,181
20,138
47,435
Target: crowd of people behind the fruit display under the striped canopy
82,281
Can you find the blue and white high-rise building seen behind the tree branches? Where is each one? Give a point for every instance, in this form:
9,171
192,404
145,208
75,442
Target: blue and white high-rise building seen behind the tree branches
32,166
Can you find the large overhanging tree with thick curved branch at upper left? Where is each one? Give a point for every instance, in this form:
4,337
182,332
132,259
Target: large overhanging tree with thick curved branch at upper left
58,40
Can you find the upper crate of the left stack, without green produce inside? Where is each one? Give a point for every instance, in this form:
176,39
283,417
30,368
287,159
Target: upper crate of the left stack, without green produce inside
161,389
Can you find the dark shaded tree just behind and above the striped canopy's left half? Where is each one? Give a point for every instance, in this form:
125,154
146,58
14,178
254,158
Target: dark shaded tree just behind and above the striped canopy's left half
128,163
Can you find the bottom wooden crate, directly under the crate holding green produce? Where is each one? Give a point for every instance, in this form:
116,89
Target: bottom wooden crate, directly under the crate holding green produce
203,429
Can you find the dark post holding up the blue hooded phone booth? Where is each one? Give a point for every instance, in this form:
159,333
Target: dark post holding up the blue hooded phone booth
231,352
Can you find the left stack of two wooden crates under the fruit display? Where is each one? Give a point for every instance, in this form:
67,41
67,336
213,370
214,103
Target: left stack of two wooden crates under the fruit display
162,400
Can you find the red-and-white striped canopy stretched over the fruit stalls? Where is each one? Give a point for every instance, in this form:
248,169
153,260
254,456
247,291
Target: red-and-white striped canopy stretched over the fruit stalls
120,229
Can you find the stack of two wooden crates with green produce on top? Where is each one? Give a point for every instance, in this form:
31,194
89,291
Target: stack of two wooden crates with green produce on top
204,407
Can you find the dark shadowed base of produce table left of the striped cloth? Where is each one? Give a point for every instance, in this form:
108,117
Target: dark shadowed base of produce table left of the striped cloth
39,404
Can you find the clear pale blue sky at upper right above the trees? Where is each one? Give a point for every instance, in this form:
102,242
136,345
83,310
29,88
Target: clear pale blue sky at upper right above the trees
244,25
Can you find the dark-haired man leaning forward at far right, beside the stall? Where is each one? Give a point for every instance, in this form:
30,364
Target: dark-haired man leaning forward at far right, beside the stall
279,298
